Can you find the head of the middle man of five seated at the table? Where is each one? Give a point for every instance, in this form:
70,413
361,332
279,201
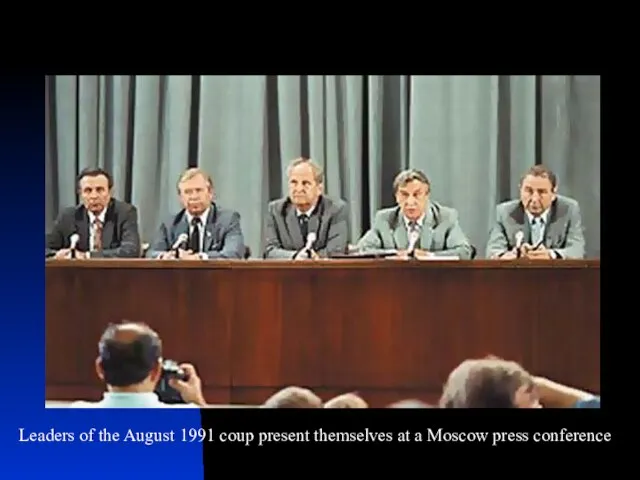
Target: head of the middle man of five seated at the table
305,183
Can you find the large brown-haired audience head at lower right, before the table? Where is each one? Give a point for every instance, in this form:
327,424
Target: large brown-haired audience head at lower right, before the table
489,383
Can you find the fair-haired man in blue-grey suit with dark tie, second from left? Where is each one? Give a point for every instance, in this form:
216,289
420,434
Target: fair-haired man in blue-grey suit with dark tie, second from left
209,231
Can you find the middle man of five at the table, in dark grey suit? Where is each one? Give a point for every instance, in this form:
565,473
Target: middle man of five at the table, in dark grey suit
294,220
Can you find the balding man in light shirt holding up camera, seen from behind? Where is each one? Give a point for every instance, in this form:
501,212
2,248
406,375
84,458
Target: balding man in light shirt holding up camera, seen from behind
130,363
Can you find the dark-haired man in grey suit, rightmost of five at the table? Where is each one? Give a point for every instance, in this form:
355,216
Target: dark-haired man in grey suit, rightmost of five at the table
540,225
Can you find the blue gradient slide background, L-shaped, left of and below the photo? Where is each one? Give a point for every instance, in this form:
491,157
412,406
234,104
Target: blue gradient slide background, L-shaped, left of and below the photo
22,353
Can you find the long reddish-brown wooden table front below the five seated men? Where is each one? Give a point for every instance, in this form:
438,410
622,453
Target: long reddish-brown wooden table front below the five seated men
388,329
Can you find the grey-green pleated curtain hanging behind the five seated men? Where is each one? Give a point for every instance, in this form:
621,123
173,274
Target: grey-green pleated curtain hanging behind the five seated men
474,136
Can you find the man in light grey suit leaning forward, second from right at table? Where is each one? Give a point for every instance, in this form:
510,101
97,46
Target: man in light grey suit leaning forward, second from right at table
435,226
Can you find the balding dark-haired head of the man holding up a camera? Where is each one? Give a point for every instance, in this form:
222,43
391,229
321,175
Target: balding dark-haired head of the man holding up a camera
129,358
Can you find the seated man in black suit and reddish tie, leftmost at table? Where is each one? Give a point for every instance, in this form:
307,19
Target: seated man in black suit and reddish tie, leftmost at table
106,227
